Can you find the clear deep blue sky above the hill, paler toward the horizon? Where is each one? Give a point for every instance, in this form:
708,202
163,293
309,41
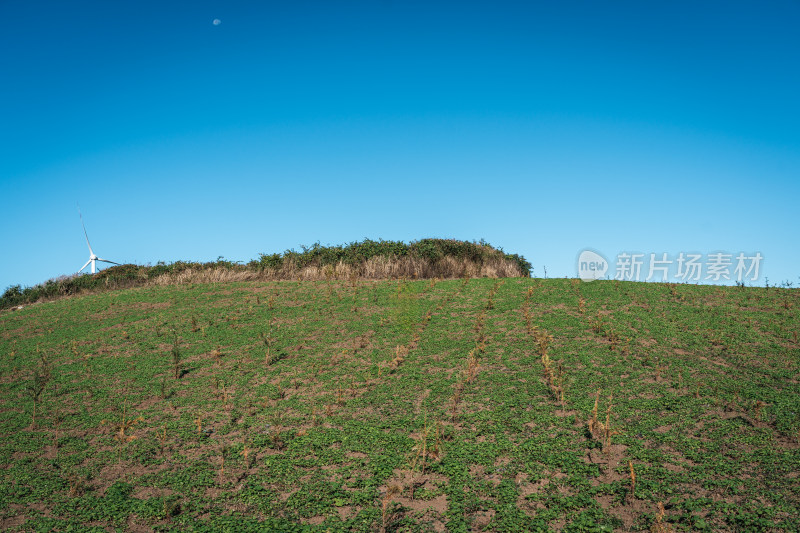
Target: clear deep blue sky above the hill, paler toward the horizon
544,128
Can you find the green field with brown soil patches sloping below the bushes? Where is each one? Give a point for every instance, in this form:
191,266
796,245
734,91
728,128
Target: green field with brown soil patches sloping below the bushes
344,405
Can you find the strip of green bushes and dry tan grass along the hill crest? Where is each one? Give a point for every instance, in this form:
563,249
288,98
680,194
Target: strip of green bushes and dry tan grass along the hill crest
367,259
